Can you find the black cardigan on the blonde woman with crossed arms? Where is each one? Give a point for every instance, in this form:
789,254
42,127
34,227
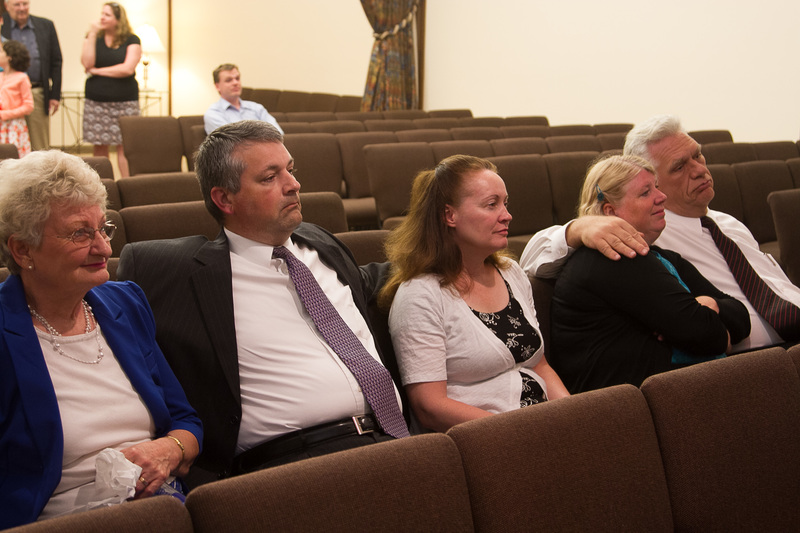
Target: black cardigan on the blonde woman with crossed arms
607,317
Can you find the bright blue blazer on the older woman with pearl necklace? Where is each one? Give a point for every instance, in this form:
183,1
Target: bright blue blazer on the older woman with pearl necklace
31,438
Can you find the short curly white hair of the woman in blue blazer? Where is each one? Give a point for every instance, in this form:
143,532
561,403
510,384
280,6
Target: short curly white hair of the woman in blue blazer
30,186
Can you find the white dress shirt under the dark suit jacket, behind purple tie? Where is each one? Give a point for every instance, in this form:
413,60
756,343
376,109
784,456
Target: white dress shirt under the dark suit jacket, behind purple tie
289,377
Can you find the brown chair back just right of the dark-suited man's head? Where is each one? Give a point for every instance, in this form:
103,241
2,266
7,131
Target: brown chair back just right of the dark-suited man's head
318,162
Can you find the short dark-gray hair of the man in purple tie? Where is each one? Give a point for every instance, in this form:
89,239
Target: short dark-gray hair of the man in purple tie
217,163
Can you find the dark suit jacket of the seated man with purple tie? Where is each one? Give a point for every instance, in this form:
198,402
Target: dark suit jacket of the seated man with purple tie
188,284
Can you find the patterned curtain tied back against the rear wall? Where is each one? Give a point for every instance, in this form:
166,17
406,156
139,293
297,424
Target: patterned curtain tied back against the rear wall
391,79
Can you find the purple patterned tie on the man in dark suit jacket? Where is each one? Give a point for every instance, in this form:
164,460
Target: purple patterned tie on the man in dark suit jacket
372,377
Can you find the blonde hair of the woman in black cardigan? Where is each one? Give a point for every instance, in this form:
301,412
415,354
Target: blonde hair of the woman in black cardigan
606,181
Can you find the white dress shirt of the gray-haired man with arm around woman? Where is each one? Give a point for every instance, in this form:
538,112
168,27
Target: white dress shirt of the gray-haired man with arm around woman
548,250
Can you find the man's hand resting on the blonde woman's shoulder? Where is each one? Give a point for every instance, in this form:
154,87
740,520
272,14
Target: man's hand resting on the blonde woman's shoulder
610,235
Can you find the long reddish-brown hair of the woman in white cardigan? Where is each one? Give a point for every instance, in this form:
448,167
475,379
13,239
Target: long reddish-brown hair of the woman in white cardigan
423,243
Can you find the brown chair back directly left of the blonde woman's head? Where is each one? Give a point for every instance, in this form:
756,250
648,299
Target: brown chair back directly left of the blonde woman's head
567,171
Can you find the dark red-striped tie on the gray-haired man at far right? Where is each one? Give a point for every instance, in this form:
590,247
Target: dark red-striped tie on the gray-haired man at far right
781,315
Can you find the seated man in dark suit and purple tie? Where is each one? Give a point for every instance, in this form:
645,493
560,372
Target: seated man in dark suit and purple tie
266,383
